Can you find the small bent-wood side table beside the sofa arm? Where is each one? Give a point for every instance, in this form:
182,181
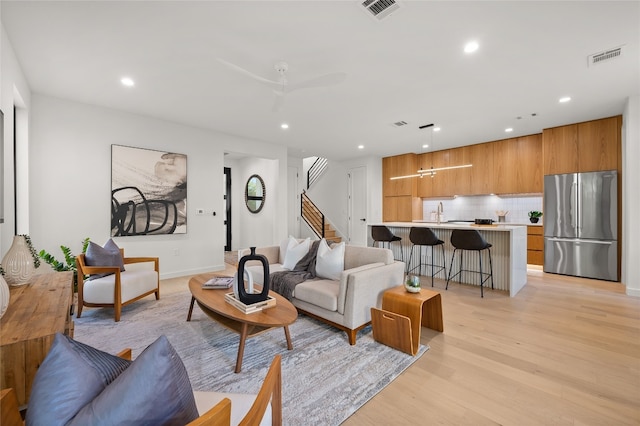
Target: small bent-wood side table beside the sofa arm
398,323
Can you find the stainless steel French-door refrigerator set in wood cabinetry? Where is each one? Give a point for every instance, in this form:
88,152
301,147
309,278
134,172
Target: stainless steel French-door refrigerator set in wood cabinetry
581,224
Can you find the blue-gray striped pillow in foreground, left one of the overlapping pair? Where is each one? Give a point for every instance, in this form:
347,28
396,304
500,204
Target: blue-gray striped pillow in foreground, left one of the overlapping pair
71,375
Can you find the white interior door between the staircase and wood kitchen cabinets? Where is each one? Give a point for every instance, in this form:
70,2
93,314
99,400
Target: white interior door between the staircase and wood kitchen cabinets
358,206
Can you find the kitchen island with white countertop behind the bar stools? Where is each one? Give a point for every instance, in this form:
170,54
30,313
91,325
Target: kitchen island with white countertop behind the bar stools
508,251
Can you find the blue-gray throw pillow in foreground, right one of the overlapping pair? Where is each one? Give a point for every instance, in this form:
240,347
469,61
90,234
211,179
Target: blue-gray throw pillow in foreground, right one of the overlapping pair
154,390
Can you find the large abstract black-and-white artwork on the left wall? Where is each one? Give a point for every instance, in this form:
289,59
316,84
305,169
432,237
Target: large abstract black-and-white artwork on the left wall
148,192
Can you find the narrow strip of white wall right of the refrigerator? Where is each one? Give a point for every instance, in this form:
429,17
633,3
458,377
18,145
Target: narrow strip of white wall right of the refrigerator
631,196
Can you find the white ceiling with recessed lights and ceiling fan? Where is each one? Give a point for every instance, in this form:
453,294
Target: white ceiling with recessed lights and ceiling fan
409,66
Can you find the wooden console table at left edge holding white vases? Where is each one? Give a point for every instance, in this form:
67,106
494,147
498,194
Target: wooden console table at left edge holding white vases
37,311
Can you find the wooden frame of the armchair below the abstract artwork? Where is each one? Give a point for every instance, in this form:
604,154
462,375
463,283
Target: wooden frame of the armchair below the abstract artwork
83,270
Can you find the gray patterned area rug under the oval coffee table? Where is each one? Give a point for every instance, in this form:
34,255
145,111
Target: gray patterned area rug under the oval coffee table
324,379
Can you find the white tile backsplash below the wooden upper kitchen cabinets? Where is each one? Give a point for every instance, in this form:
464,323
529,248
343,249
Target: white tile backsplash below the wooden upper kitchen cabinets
484,207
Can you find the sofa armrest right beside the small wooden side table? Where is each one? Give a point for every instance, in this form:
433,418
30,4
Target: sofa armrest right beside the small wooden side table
364,290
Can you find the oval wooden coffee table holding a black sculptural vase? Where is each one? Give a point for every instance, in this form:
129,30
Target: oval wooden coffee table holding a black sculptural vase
213,304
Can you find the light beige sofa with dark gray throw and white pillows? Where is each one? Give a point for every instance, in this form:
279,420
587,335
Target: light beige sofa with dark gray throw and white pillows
345,304
